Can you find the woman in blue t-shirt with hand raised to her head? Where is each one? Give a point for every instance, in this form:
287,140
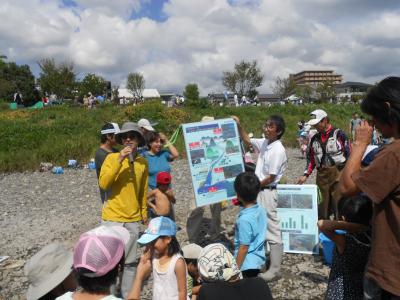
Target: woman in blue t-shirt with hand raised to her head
161,152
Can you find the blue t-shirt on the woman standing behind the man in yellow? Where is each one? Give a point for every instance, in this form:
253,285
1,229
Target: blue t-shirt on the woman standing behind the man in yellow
157,163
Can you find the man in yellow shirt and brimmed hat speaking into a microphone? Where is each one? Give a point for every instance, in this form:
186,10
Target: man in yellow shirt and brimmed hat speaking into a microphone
125,175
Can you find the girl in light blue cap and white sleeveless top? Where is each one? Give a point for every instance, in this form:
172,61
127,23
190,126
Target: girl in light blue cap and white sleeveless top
169,267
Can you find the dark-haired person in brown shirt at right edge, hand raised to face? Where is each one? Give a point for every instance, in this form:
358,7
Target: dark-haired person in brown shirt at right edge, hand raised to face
380,181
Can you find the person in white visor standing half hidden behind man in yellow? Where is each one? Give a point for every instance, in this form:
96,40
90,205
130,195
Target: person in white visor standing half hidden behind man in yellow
108,142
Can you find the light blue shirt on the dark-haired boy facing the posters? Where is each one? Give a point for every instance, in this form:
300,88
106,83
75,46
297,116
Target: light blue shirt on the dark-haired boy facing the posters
251,226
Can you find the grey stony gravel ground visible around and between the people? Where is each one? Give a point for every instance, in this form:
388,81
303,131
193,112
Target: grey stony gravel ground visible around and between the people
40,208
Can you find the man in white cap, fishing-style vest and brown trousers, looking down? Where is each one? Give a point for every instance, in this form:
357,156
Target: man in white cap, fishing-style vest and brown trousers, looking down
328,151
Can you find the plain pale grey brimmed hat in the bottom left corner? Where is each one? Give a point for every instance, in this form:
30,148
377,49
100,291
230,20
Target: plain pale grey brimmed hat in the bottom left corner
47,269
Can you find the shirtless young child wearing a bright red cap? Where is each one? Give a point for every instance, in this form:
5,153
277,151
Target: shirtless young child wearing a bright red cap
161,199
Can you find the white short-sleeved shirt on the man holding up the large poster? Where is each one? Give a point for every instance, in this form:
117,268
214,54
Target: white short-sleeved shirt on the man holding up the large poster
272,159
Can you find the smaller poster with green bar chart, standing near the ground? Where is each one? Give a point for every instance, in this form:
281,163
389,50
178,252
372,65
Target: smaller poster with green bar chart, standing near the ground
298,214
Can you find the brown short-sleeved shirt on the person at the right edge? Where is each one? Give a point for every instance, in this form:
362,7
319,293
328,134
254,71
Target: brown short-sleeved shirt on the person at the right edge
381,182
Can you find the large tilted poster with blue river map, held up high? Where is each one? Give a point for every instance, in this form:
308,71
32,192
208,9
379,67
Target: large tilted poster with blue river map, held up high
215,159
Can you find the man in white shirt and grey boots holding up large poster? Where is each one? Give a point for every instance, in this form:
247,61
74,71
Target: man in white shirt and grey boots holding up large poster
271,164
